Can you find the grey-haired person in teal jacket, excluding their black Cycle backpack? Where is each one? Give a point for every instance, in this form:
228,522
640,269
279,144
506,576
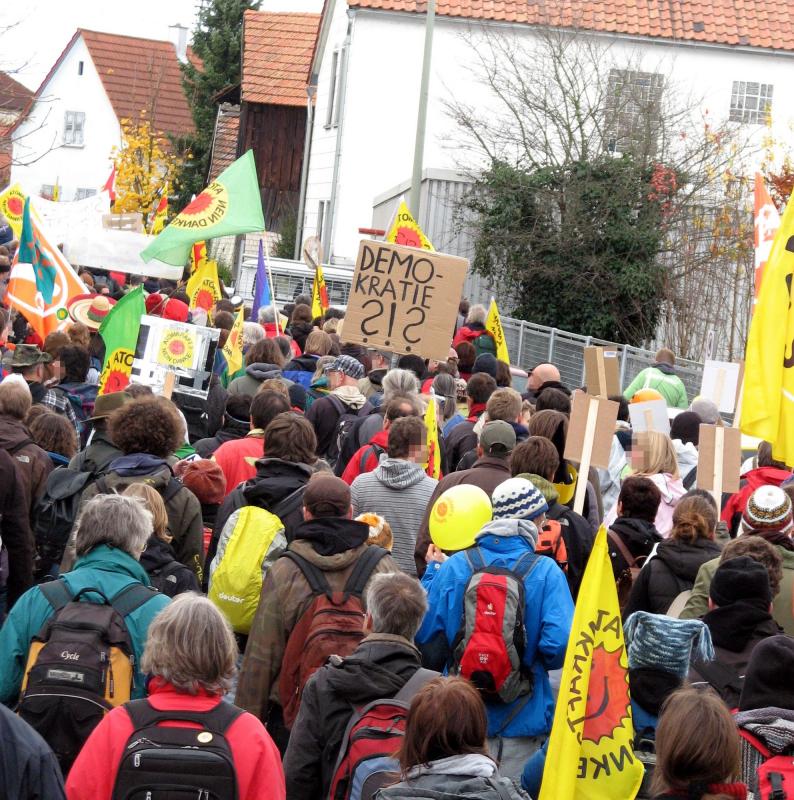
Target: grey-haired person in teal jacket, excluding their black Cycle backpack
112,532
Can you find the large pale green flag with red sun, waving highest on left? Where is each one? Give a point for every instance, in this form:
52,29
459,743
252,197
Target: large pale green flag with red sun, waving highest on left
231,204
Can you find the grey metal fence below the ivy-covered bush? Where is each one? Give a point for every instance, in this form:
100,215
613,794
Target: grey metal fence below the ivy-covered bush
530,344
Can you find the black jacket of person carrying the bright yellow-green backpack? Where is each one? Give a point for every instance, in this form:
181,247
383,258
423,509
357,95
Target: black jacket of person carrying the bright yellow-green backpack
274,481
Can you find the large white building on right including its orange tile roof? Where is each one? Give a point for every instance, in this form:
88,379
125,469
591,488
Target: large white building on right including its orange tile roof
368,65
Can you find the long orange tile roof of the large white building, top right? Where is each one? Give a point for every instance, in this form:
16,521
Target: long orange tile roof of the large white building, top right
753,23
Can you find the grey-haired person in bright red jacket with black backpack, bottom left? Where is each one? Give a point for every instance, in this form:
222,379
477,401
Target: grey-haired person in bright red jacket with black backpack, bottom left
190,660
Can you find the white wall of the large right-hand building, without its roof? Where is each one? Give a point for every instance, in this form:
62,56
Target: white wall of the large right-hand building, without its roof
381,103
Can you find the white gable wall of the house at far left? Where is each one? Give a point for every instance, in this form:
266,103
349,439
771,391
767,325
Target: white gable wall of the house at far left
38,142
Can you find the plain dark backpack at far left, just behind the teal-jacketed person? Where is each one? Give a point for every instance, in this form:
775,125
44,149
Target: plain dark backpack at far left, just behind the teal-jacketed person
54,515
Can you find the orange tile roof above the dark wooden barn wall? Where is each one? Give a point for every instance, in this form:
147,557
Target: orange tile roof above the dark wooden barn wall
277,55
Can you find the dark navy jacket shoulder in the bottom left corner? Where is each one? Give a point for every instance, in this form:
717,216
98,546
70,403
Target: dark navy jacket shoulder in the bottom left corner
28,768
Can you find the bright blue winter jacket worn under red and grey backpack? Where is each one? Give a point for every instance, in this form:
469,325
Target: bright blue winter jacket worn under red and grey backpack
547,617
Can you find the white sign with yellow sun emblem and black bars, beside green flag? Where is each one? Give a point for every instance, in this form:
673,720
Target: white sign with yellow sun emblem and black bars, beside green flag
165,346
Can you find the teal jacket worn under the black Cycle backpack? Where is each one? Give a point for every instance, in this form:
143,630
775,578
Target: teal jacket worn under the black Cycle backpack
105,568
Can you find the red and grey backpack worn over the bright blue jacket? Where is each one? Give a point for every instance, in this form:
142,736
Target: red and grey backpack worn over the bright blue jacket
489,648
